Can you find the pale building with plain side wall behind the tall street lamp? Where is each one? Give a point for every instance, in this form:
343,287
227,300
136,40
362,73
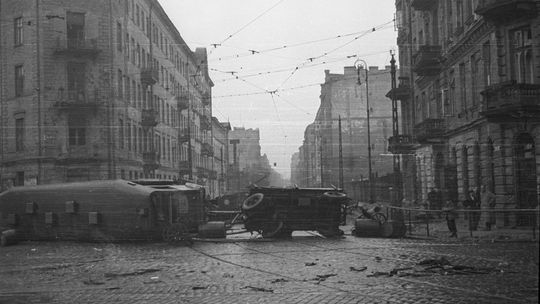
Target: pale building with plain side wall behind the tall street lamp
342,97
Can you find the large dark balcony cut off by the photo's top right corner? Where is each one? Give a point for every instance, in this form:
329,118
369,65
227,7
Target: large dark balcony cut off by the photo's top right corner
499,11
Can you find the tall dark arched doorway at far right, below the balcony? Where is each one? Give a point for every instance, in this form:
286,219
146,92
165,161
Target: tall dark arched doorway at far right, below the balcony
526,178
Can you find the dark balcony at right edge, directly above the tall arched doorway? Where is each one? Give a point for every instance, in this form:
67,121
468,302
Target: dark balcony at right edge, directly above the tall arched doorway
510,101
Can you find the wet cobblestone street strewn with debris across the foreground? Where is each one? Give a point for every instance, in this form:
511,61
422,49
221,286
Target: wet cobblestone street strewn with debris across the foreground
304,269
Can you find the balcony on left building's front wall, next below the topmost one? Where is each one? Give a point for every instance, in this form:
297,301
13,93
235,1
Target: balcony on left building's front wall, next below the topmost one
81,101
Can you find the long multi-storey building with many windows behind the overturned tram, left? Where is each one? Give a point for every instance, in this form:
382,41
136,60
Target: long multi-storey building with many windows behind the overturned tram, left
100,89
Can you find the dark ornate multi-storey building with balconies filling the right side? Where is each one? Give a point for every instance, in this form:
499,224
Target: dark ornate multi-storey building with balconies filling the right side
470,98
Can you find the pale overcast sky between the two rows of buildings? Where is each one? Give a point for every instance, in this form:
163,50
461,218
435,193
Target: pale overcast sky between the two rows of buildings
281,46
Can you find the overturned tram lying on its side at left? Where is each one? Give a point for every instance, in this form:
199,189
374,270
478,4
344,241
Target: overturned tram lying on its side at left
106,210
